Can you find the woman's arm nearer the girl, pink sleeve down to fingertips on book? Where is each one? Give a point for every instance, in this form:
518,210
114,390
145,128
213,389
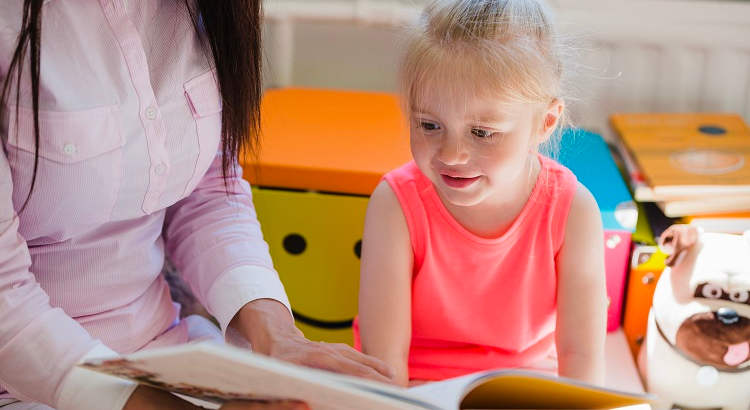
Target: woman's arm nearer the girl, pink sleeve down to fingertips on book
215,241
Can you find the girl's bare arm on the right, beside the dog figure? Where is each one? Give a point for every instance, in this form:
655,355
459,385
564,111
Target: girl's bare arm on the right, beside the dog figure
581,293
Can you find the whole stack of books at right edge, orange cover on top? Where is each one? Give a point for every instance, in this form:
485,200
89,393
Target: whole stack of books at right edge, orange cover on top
691,166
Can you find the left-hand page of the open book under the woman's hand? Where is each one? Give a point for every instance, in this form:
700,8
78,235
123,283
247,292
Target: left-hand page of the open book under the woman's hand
220,373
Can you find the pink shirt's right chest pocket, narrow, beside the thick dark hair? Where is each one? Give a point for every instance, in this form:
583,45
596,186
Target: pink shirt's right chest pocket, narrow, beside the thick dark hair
204,99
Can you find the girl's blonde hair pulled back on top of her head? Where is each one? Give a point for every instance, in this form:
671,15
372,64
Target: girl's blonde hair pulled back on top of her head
503,48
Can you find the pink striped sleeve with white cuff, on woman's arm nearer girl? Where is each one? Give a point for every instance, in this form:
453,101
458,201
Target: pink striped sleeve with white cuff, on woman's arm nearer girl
214,240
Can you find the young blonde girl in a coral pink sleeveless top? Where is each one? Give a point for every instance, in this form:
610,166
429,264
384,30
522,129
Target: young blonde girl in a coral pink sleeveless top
482,253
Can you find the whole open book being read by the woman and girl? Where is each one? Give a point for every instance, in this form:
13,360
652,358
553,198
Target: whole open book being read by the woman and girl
215,373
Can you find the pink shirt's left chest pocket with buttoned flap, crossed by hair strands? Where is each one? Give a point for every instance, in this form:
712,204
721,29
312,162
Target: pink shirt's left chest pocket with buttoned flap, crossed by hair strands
79,171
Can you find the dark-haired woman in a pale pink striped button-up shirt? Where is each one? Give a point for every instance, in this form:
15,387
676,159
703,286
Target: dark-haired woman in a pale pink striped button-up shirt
121,123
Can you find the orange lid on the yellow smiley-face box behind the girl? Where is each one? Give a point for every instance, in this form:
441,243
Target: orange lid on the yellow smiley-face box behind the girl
328,140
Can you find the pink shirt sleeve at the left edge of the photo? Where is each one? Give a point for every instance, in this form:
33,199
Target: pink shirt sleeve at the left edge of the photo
39,344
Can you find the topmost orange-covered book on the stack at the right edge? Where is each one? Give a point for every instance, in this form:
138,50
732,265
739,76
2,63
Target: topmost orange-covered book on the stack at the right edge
687,155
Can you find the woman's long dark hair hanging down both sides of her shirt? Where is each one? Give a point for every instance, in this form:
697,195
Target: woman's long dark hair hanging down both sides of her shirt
230,31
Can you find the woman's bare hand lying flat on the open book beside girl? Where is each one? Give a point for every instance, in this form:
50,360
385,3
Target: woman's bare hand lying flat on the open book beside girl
270,329
